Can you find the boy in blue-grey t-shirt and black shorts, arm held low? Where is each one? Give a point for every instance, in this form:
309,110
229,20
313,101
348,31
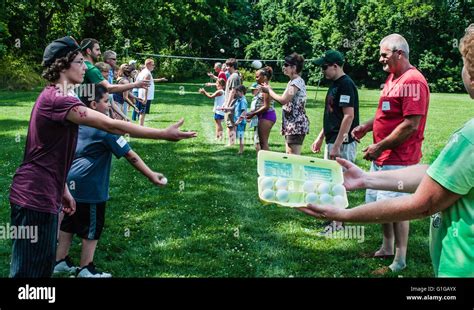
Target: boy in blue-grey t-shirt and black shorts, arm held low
88,182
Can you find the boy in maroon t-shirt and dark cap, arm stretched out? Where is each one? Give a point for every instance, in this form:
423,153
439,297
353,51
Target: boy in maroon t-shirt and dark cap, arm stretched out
38,191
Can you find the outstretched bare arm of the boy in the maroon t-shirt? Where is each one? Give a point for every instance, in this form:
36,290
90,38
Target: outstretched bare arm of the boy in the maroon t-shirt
82,115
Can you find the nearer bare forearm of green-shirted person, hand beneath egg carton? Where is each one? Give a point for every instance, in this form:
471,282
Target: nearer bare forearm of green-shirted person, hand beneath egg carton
429,198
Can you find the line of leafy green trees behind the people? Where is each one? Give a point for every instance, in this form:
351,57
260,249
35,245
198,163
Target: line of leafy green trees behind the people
262,29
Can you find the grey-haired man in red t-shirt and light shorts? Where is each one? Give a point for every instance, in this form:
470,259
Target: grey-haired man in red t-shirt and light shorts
398,130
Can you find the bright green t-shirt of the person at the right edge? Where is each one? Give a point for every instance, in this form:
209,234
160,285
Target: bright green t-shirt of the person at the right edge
452,230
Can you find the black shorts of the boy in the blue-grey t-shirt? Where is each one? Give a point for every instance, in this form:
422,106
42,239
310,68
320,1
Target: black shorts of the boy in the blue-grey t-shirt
87,222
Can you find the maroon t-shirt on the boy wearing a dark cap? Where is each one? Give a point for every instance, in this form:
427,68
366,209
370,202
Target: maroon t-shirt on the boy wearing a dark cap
38,183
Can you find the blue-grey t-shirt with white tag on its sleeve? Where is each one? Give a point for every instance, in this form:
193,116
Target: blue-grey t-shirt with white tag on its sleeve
88,179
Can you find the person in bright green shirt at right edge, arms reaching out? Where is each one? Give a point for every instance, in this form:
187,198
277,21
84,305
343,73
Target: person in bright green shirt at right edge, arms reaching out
444,191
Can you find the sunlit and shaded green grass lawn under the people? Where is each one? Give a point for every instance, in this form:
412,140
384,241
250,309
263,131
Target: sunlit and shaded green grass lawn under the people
208,221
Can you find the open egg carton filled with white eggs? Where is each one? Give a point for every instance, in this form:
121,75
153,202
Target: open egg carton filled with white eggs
295,181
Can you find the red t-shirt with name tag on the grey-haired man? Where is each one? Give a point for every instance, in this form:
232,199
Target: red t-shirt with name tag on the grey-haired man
407,95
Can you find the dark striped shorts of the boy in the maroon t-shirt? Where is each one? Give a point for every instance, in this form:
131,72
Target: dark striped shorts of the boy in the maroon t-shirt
34,257
